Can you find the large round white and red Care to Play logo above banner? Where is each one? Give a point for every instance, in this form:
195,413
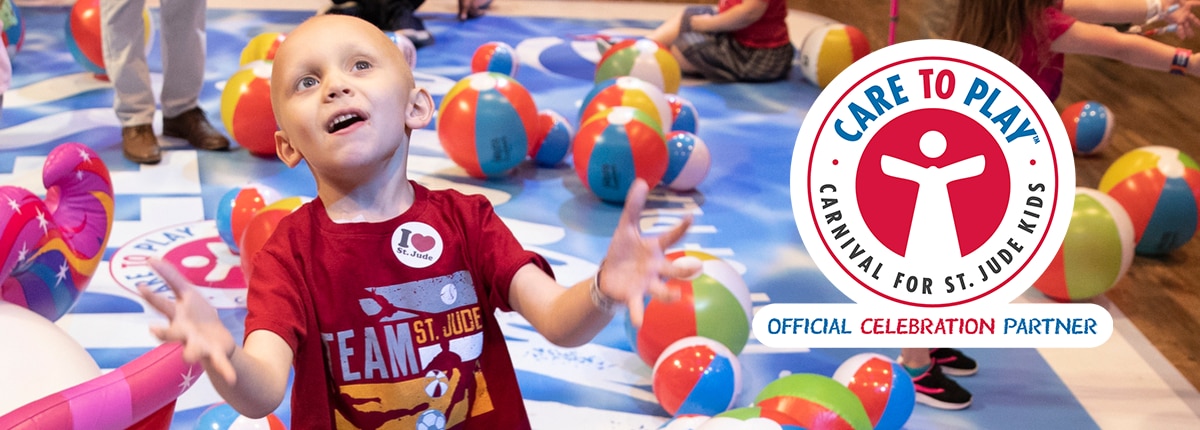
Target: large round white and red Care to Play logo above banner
933,180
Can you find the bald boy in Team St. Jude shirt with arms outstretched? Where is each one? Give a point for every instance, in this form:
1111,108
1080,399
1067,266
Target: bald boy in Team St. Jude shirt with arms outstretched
380,286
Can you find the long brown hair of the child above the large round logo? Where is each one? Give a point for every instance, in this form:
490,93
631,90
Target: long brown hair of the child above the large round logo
1000,26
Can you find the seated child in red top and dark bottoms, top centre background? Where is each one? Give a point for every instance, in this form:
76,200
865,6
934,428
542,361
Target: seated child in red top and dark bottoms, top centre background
739,41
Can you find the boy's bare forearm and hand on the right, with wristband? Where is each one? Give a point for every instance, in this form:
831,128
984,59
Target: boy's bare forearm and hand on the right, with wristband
634,267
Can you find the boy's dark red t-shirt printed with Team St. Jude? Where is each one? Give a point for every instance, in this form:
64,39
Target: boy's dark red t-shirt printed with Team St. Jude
404,310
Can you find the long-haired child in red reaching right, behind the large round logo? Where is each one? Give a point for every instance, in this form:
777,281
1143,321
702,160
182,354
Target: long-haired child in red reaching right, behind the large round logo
1037,34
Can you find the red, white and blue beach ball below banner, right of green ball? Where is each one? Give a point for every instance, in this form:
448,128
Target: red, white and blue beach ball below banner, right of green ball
883,386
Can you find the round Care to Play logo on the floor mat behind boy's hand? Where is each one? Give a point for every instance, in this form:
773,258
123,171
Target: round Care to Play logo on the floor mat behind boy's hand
196,250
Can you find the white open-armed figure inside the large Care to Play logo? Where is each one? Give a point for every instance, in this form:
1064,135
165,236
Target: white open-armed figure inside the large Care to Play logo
933,236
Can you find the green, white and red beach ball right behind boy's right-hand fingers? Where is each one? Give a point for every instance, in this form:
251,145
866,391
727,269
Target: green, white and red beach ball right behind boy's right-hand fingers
716,304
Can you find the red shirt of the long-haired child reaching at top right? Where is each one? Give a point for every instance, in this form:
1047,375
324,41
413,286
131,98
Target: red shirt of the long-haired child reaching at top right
1034,52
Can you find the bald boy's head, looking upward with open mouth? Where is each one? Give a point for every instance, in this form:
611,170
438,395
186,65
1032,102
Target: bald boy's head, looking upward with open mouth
344,97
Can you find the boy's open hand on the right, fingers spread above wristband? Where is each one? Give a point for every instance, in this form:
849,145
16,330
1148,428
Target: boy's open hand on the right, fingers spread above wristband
635,265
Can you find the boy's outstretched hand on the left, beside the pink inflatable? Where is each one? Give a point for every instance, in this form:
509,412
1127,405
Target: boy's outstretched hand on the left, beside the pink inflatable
194,322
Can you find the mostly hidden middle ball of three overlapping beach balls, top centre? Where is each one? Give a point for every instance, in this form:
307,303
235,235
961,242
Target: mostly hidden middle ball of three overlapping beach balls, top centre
629,92
